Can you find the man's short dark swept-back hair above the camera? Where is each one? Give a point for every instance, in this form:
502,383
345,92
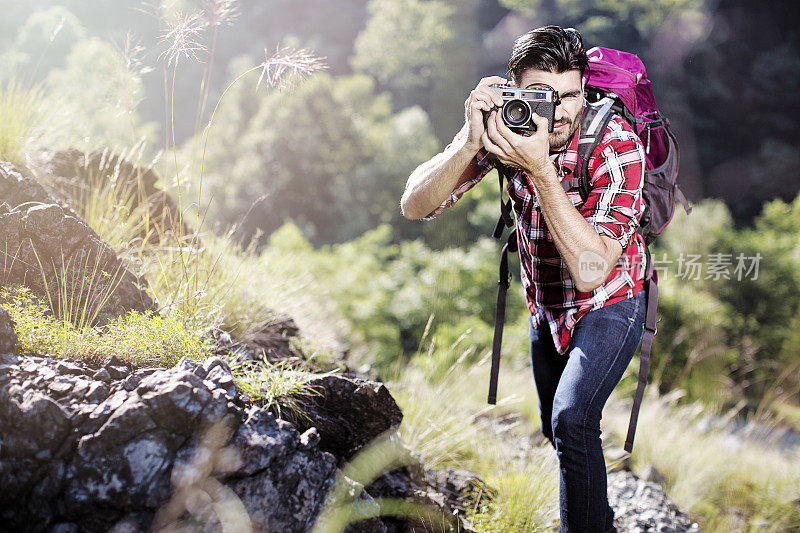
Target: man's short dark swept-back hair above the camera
550,48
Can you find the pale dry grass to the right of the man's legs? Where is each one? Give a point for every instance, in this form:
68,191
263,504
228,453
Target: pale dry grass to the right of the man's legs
723,484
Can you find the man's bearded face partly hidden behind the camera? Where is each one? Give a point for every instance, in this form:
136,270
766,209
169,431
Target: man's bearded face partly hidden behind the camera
569,85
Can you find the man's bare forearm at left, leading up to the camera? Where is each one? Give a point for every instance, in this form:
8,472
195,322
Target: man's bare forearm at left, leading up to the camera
433,181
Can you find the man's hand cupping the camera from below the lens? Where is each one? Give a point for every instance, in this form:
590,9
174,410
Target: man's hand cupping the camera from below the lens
531,153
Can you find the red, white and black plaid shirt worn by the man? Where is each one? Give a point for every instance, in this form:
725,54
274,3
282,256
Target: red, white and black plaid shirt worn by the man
614,207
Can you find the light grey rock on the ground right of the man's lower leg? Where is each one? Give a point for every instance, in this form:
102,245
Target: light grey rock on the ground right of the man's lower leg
641,505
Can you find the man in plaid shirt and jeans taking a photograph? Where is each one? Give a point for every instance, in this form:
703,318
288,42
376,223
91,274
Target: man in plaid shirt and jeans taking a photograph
582,263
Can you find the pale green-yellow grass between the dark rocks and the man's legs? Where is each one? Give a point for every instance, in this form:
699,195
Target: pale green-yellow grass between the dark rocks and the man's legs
440,417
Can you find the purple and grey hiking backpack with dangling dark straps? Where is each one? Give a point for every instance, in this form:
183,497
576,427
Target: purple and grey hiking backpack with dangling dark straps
617,84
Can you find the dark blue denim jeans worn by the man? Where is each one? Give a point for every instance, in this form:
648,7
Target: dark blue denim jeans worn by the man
572,389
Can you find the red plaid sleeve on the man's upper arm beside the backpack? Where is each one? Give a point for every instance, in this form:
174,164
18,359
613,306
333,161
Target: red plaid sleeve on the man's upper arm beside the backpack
614,206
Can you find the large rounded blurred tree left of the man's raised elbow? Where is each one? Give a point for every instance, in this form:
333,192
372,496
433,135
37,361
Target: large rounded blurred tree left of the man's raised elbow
328,154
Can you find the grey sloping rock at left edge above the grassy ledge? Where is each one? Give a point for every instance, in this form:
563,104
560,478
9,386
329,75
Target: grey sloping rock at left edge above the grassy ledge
48,247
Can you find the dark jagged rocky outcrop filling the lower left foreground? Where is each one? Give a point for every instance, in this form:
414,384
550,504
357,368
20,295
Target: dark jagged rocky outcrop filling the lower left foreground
93,448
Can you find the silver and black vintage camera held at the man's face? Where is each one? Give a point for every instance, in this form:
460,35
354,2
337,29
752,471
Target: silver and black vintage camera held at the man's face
520,104
